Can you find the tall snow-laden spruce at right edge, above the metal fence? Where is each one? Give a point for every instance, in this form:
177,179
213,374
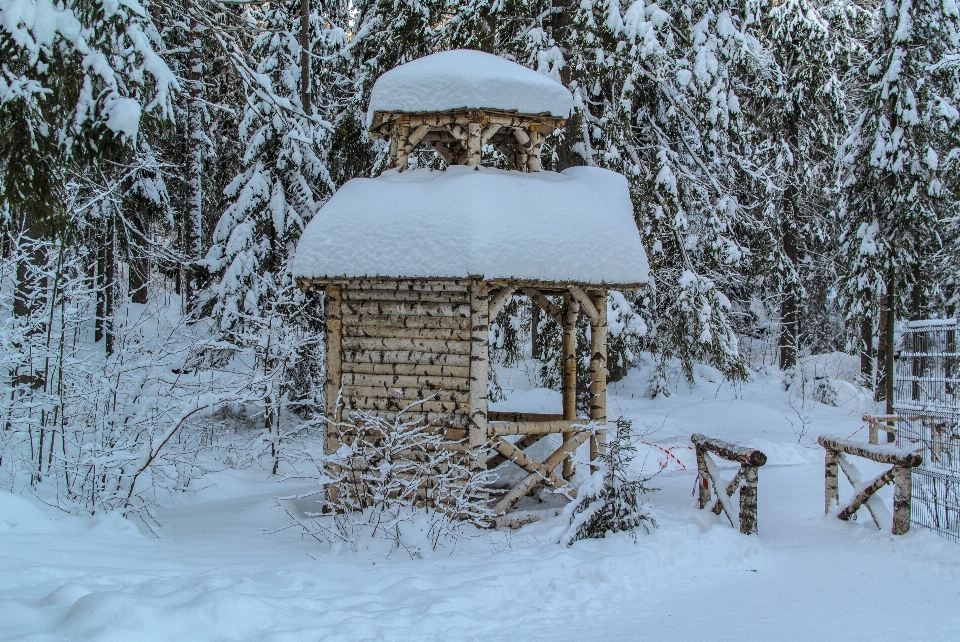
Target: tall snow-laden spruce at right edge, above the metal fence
899,163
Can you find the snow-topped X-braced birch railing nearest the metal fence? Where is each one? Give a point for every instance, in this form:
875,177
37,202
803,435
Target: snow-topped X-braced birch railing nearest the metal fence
903,461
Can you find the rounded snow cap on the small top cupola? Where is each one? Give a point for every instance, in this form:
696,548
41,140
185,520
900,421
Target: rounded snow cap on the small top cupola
463,78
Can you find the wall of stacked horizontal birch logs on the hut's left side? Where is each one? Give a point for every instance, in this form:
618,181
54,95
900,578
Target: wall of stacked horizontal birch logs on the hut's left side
394,342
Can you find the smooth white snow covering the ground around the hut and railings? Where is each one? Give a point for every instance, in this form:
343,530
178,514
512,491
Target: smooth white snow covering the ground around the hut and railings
217,572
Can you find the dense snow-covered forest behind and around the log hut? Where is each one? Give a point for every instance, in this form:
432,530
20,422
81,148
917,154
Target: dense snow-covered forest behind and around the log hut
794,167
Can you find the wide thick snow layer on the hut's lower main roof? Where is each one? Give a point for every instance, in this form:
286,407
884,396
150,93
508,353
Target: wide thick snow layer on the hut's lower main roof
573,227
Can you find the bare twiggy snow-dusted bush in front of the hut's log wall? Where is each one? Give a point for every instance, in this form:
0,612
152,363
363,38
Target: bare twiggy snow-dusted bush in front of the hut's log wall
398,479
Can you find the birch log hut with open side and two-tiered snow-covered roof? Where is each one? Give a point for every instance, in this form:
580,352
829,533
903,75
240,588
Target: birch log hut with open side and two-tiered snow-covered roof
417,263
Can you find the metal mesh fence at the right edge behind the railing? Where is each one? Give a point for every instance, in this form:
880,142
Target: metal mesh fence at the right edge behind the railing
927,398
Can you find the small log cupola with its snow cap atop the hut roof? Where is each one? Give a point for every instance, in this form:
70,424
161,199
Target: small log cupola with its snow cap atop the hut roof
456,102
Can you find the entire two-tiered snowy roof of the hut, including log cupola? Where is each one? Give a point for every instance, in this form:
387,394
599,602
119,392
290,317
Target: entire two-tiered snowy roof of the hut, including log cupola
527,226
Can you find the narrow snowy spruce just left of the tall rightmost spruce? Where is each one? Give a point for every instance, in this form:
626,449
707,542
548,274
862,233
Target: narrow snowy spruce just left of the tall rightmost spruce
801,122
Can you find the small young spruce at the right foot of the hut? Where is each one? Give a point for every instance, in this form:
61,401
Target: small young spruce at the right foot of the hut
610,501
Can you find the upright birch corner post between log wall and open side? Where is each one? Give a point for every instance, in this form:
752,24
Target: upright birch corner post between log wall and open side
479,365
